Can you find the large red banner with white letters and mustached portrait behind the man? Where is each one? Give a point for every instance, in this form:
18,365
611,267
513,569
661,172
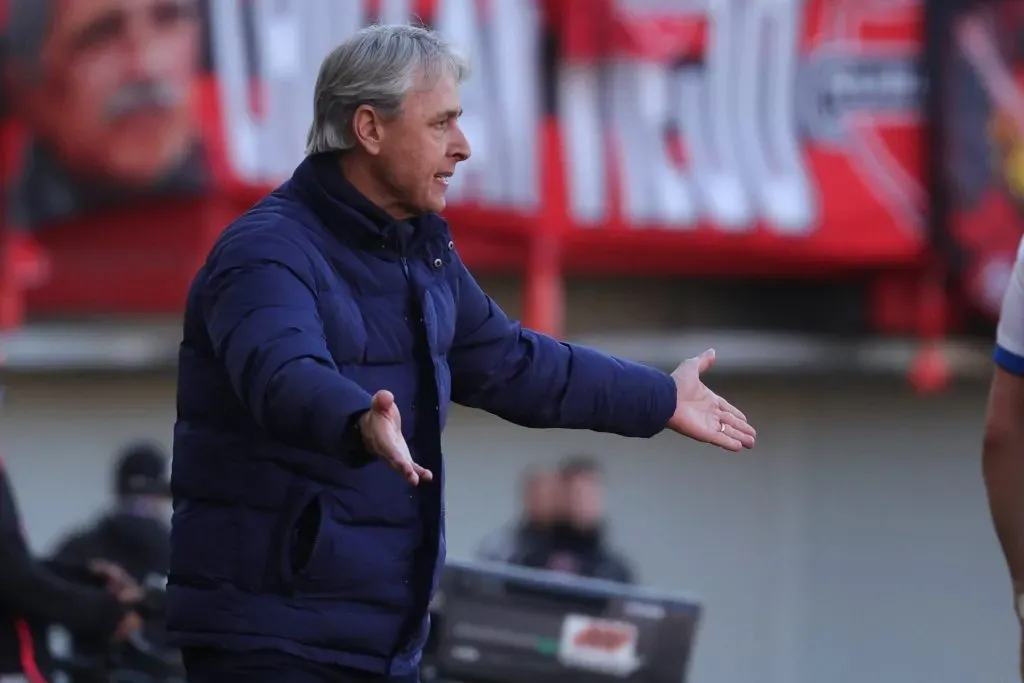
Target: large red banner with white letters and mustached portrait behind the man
684,137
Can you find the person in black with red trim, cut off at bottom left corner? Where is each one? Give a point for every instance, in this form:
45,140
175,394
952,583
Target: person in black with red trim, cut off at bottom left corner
36,595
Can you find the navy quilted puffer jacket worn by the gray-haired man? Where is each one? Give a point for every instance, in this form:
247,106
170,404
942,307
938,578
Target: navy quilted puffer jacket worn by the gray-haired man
286,536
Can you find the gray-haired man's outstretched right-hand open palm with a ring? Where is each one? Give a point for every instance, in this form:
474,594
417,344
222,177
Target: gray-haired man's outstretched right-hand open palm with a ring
703,415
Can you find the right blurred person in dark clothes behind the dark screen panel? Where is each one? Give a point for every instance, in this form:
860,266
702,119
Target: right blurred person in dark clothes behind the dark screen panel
580,544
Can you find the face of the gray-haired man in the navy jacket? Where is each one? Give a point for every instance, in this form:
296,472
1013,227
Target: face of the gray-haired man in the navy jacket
419,150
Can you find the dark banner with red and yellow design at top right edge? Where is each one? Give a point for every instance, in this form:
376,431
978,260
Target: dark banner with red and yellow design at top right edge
977,142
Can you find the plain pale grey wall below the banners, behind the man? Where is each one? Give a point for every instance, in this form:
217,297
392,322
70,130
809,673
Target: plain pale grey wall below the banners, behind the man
854,546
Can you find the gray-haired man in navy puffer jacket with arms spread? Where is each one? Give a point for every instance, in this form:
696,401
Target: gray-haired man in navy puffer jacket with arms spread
325,339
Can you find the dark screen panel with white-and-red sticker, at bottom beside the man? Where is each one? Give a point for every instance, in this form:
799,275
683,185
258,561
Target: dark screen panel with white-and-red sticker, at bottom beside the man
515,626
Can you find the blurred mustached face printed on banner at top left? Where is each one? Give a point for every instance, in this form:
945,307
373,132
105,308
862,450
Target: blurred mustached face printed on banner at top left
113,92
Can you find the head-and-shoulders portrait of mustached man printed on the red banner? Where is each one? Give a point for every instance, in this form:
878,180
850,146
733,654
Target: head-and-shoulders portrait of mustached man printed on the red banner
104,90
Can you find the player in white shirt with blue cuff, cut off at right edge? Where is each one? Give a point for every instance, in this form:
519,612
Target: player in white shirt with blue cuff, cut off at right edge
1003,452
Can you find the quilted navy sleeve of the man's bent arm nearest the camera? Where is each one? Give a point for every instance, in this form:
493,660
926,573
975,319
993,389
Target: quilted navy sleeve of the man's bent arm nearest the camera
261,311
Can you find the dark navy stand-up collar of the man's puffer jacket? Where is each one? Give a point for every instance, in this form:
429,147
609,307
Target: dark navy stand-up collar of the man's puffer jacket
349,215
